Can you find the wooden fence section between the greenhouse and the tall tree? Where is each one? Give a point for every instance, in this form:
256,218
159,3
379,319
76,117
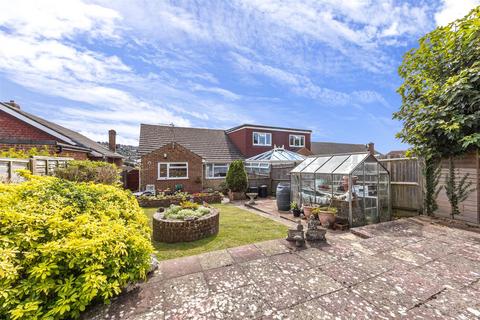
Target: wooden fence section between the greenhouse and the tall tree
406,185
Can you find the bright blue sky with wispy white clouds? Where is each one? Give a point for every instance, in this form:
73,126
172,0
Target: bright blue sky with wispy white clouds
329,66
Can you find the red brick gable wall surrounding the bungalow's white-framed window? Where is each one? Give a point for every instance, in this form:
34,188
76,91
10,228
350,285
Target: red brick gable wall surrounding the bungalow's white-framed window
174,153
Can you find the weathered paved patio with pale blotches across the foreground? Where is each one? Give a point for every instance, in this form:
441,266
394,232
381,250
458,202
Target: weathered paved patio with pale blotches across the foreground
408,268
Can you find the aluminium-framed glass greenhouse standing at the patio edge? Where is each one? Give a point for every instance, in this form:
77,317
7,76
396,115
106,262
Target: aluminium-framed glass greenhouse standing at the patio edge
356,184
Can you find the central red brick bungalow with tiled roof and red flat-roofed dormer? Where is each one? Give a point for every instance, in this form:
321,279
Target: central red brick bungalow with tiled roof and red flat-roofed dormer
198,158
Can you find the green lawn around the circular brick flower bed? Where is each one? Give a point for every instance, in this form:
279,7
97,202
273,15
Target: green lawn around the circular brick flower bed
237,227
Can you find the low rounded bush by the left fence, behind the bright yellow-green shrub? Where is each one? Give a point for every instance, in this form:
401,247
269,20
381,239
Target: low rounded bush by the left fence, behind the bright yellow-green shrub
89,171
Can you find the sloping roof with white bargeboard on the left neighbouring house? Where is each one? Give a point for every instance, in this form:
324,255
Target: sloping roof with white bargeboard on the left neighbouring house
71,138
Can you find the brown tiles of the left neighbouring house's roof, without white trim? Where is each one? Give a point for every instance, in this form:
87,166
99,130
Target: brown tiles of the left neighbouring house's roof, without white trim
97,150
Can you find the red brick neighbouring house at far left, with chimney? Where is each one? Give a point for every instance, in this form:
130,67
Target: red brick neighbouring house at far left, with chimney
23,131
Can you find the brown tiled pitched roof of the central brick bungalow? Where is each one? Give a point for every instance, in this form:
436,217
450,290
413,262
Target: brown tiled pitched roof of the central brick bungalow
212,145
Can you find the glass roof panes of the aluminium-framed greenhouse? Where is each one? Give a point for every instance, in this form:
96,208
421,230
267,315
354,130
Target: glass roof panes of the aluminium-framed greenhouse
336,164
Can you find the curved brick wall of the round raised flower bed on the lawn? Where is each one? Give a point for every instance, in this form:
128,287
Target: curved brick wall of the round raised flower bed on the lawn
170,231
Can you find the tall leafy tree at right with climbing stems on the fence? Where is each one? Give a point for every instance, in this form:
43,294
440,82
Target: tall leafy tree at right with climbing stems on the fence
441,95
